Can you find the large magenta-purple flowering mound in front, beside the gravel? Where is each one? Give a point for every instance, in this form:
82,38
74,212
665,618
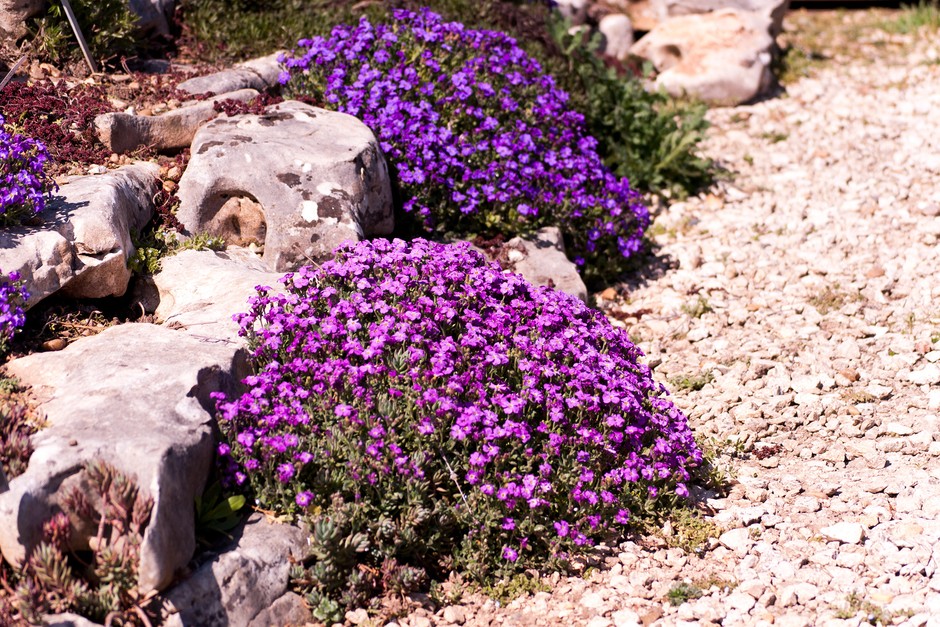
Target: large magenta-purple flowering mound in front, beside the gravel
423,363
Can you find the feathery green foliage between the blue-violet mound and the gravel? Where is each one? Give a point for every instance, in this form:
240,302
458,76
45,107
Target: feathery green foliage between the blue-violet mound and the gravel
645,136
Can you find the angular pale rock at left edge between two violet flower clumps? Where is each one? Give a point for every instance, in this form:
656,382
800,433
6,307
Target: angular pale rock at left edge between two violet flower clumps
84,243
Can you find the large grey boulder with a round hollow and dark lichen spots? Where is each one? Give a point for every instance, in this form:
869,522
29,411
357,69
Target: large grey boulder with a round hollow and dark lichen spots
297,179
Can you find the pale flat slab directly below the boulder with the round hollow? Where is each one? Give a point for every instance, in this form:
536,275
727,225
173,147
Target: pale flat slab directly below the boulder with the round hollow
200,291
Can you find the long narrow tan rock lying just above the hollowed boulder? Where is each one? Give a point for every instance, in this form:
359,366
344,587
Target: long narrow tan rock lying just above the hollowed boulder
123,132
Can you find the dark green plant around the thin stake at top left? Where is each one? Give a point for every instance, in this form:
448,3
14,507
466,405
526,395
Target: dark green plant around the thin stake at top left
109,27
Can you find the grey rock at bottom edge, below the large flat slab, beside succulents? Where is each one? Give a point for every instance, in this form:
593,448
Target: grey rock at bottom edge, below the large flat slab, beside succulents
243,581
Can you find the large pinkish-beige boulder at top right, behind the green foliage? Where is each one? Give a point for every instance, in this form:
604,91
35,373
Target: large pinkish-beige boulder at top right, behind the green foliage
723,57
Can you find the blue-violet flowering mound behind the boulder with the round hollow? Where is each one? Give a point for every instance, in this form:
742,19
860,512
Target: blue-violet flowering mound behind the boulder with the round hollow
482,139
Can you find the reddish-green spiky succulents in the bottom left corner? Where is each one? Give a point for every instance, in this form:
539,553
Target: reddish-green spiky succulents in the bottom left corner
101,585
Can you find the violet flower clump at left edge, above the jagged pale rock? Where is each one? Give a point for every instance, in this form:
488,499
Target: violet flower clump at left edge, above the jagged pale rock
23,182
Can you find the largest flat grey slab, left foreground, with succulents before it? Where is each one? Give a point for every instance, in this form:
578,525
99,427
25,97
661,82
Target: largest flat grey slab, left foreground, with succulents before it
138,397
